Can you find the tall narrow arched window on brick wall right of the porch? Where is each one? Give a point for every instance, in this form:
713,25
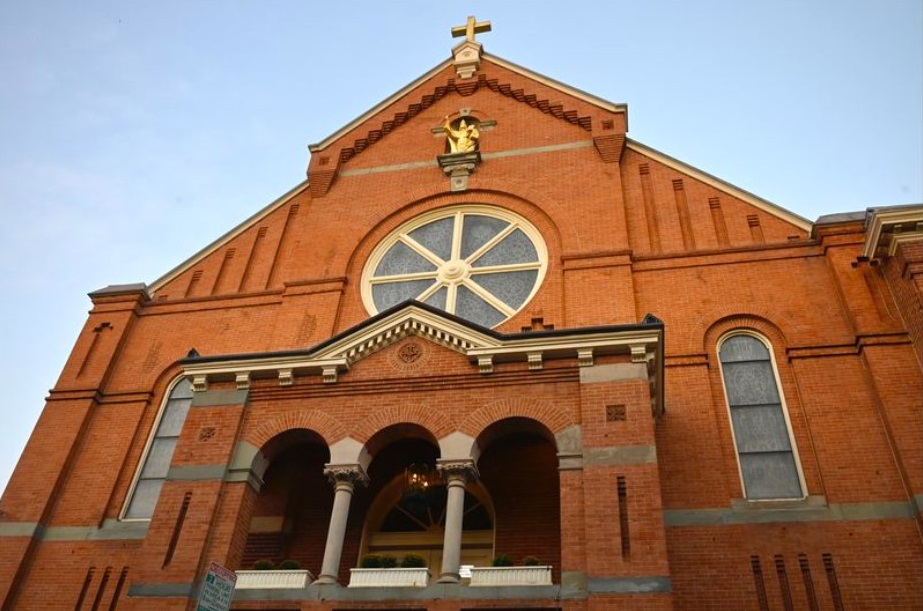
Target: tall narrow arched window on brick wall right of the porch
765,450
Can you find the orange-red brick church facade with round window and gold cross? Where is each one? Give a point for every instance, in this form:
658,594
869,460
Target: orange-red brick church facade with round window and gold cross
489,324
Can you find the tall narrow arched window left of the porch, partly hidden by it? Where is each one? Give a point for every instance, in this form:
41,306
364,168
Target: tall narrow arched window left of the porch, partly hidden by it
156,462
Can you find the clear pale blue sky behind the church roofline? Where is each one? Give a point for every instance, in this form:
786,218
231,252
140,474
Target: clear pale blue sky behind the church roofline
134,133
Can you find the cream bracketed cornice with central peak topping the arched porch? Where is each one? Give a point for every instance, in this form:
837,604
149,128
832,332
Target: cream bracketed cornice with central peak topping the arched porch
483,347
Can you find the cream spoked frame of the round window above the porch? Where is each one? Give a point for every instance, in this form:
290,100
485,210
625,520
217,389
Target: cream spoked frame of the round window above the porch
447,273
